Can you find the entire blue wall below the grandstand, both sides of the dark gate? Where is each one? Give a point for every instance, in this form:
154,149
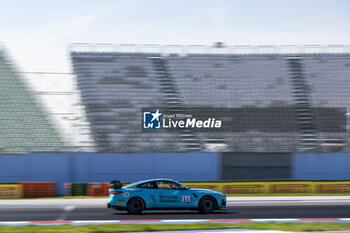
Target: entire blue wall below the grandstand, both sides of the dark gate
101,167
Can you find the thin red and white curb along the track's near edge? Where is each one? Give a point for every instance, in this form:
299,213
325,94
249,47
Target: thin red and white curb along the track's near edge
175,221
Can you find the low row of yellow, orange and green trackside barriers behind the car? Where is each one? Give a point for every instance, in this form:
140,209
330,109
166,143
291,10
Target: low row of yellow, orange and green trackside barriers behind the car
48,189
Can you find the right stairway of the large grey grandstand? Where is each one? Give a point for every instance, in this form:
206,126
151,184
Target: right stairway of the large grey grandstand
303,111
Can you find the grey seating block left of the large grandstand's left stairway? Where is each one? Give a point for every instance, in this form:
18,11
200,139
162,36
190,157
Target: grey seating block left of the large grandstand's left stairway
115,87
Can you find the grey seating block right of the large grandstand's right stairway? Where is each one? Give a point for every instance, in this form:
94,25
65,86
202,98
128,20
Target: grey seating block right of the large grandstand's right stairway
329,79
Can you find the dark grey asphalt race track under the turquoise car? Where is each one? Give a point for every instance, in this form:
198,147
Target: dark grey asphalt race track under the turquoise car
234,211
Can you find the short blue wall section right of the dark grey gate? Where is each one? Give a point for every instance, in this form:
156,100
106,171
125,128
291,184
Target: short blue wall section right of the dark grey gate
321,166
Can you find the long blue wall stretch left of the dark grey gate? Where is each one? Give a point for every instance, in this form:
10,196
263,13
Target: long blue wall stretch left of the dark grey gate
103,167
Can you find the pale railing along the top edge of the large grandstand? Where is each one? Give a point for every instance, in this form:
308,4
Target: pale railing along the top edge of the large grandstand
209,49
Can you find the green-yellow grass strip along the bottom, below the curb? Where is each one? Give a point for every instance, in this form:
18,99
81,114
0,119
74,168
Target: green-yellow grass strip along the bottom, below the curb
108,228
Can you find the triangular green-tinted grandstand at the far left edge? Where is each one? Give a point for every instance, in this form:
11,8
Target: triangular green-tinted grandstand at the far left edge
24,125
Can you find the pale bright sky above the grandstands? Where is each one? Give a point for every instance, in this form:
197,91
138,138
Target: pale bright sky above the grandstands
37,32
